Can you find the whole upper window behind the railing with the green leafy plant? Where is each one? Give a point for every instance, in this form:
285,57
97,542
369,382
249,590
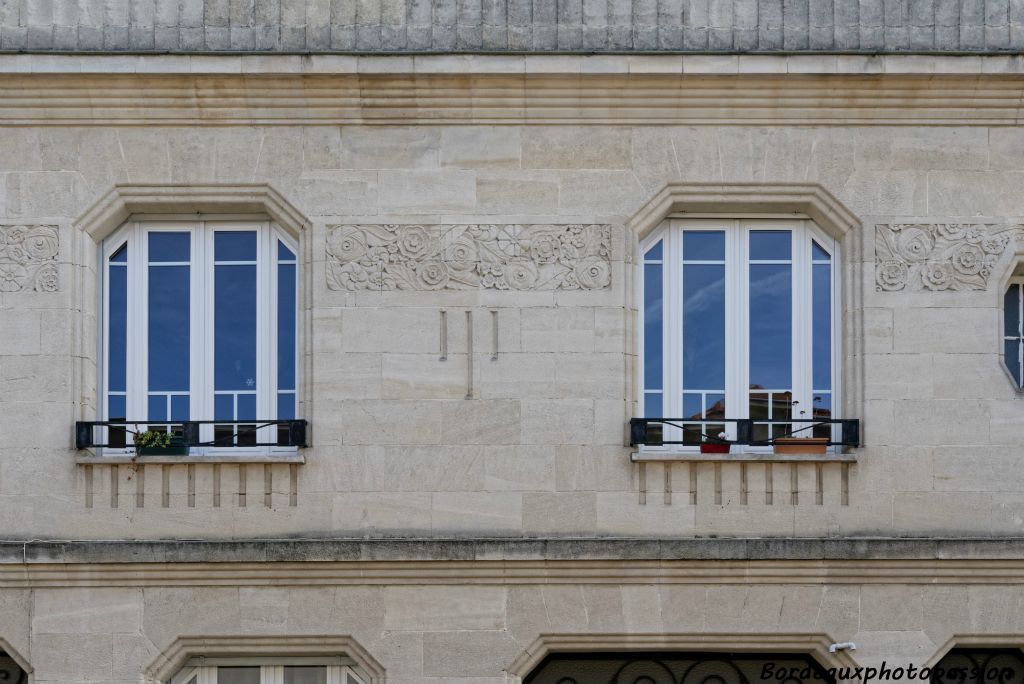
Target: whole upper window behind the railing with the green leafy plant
200,325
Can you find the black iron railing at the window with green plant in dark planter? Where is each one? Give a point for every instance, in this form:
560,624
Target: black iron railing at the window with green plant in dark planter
239,435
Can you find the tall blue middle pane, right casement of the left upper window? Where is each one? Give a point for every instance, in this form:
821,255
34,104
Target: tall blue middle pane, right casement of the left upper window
235,328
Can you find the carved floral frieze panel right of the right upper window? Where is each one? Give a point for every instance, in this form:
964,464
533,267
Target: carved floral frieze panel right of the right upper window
938,256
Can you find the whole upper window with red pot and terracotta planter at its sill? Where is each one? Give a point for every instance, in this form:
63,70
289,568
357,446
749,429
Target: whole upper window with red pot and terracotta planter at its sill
740,322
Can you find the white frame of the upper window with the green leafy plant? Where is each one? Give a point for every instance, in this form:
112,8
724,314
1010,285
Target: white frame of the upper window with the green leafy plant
201,396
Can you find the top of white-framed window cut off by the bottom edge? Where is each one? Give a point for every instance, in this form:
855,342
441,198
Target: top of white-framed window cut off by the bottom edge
287,671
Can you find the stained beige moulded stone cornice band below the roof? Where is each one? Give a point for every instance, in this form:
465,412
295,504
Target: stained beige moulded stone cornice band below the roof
510,99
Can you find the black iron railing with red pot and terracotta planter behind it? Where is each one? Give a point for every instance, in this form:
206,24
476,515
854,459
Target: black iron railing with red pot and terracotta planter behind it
749,433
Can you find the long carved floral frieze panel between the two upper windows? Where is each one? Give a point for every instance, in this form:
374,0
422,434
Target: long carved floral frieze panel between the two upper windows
468,256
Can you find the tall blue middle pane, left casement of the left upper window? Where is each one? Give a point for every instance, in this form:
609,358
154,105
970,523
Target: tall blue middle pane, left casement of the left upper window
168,329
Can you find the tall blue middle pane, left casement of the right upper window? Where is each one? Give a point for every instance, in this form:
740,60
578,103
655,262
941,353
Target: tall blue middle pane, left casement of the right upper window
704,327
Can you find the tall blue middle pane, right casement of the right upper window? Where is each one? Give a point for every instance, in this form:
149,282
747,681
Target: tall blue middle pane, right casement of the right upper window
772,326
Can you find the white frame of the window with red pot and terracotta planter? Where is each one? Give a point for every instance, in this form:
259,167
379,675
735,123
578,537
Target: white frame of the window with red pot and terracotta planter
737,319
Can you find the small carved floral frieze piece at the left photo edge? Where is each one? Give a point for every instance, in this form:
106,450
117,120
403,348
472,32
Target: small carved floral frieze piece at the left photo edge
29,259
